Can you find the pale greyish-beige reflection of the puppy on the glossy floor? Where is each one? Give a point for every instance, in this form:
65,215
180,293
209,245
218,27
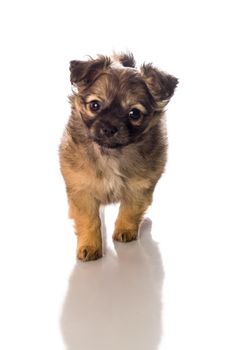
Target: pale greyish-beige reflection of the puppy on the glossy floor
115,303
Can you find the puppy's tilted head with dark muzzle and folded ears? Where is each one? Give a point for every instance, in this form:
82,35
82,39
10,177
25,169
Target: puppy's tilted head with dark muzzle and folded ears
117,102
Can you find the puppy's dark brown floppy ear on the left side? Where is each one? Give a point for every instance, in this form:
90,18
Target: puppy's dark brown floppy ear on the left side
86,71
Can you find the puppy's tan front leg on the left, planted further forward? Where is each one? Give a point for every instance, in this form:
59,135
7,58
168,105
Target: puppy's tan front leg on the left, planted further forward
84,209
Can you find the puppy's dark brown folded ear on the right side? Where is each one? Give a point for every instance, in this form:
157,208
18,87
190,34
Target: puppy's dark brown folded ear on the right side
160,84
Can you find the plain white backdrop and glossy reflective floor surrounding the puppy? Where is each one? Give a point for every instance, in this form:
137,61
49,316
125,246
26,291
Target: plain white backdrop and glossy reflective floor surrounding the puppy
173,288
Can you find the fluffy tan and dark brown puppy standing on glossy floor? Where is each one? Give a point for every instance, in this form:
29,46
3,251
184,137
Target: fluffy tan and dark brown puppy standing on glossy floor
114,146
